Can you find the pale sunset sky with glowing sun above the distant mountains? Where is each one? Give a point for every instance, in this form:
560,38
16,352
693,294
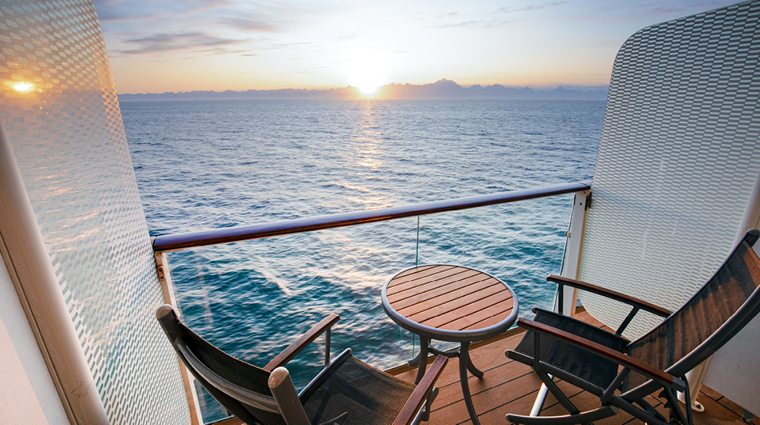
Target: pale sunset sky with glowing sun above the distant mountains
175,45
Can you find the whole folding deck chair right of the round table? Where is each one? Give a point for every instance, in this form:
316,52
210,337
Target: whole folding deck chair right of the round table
621,372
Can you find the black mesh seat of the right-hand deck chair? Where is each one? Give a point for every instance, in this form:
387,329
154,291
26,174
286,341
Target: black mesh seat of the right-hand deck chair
588,366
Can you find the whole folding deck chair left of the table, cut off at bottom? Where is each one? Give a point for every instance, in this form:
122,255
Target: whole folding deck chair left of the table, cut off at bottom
347,391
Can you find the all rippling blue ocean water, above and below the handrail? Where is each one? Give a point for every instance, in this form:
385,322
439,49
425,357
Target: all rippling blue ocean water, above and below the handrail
212,164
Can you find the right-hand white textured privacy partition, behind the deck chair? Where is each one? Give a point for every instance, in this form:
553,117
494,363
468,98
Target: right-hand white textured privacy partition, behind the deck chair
677,160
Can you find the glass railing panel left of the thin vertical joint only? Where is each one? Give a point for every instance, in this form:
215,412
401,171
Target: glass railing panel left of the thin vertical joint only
253,298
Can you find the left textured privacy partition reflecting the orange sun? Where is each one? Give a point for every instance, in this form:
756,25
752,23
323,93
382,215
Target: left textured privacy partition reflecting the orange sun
60,112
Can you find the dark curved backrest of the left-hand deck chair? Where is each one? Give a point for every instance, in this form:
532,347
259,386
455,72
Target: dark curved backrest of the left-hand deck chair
239,386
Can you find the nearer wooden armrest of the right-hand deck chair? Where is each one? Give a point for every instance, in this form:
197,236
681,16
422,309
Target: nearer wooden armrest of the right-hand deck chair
617,357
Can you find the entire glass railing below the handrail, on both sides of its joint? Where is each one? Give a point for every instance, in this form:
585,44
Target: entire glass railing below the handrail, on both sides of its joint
253,298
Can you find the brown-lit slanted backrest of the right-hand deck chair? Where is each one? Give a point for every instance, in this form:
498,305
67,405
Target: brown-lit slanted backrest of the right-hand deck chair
719,310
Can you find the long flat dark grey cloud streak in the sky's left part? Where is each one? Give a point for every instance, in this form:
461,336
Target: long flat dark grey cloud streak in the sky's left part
178,41
